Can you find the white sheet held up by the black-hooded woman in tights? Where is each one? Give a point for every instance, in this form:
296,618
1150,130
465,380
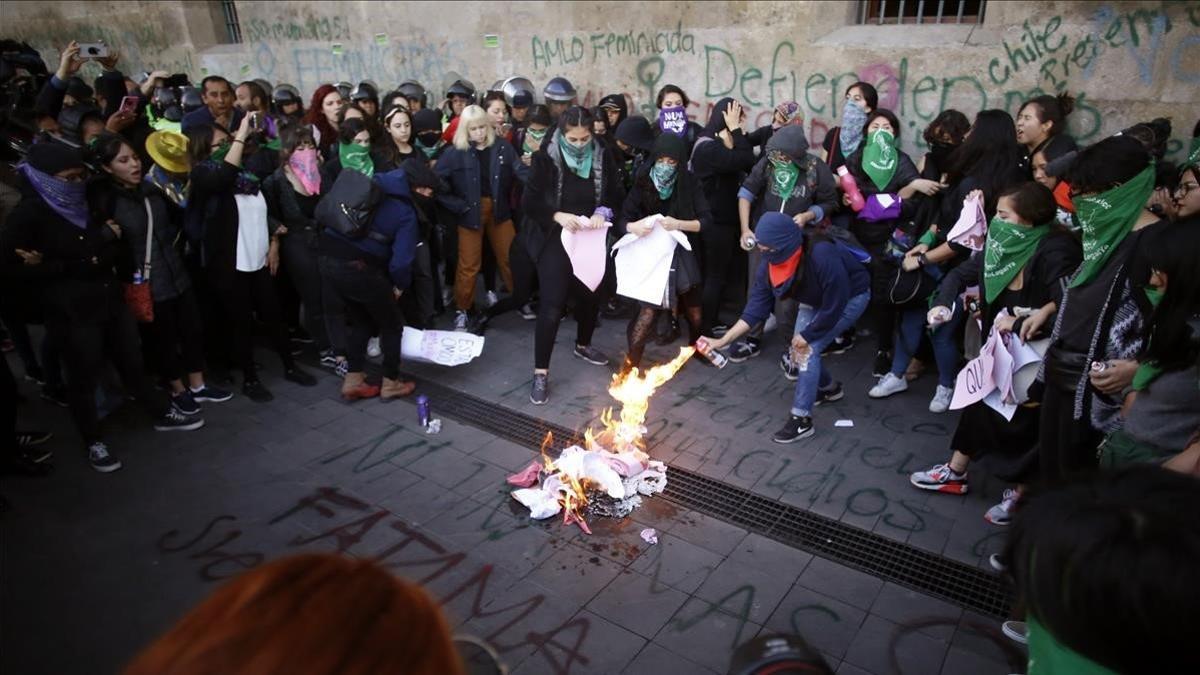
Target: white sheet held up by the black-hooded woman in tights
644,264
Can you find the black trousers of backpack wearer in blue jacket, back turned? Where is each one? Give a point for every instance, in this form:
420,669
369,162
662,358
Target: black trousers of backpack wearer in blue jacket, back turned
365,291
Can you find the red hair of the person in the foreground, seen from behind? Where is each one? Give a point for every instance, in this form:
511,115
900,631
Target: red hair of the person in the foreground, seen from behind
315,614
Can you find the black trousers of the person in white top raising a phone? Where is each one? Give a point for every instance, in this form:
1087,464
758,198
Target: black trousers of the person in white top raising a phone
254,294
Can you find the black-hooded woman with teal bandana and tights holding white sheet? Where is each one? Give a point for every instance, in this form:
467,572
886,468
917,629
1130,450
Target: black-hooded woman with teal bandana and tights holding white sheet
667,188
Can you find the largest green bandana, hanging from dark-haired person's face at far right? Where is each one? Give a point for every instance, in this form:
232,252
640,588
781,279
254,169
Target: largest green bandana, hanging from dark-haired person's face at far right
1106,220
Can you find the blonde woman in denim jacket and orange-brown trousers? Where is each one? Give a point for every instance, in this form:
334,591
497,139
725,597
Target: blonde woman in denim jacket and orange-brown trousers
479,172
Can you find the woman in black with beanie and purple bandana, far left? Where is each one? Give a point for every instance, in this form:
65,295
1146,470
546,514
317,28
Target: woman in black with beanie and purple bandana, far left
51,242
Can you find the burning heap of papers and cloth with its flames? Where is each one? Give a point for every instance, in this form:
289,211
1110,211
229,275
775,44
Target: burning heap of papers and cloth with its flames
614,459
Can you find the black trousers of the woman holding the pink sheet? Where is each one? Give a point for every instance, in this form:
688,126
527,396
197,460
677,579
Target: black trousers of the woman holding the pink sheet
557,282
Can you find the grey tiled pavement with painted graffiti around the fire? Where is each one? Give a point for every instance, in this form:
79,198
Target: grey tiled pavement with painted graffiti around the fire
95,566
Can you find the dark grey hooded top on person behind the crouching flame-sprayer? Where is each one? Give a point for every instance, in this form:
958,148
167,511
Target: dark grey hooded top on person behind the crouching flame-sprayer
815,192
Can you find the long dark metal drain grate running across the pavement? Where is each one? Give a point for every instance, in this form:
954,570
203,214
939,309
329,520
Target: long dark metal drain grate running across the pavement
929,574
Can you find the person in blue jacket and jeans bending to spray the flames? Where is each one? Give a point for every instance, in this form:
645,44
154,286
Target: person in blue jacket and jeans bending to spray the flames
833,290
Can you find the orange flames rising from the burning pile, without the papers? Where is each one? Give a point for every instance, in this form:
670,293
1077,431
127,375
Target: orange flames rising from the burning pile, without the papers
622,434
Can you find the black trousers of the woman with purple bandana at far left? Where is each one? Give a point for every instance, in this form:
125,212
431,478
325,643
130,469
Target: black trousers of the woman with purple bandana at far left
87,347
